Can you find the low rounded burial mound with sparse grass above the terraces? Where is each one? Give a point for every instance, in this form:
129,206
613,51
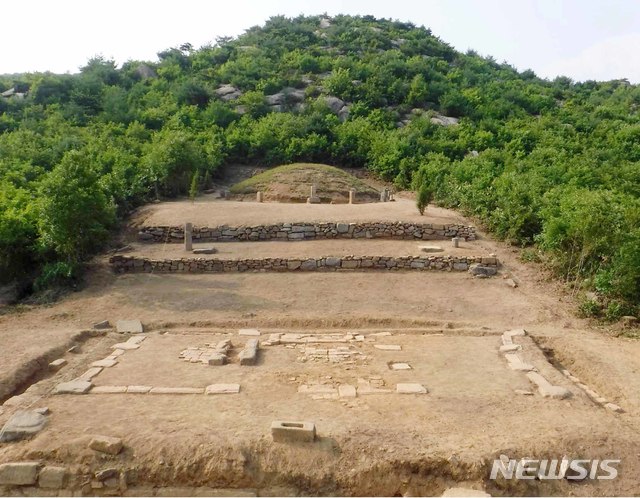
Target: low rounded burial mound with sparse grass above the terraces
292,183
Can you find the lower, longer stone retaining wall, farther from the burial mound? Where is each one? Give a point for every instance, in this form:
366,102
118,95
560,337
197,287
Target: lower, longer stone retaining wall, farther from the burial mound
133,264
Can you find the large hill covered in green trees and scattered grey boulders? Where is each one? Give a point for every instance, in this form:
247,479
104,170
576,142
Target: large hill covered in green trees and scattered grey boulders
549,164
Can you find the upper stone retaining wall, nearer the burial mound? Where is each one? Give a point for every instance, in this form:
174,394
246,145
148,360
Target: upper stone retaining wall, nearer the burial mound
311,231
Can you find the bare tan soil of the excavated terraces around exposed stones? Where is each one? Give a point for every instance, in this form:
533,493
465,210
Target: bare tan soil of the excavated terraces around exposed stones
447,324
